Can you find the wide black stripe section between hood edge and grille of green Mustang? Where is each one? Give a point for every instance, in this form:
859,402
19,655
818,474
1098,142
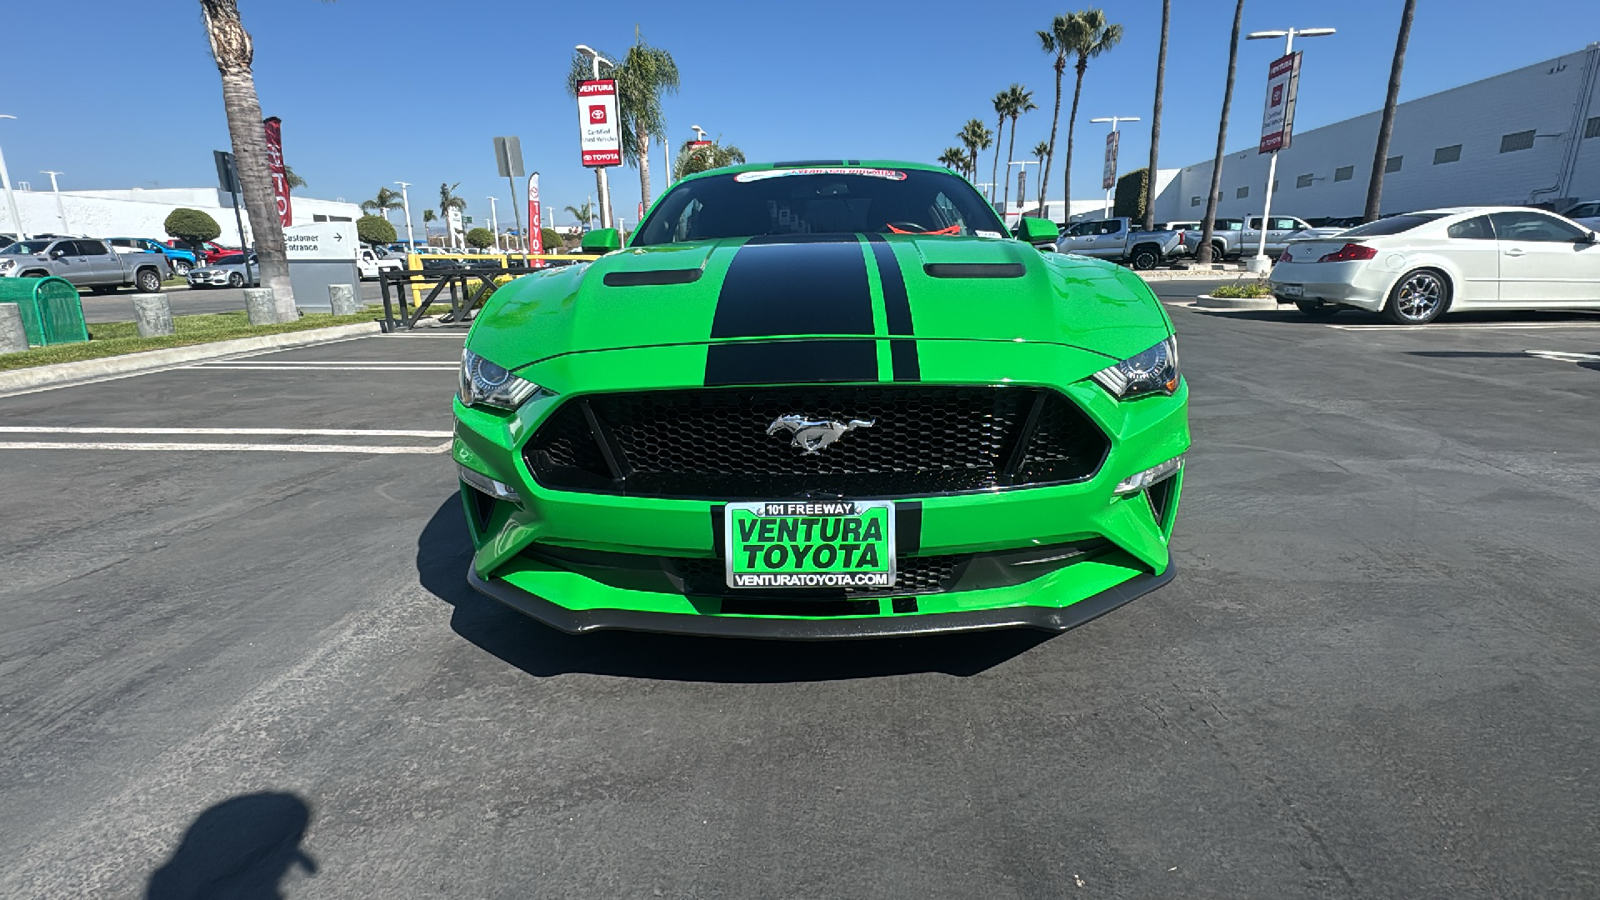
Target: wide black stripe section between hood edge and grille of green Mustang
791,363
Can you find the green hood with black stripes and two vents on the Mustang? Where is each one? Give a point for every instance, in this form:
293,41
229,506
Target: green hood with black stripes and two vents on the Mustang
825,287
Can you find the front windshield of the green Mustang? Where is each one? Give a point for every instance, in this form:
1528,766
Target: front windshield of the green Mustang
820,201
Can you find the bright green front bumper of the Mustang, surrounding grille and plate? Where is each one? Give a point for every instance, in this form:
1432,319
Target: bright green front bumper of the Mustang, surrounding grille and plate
526,547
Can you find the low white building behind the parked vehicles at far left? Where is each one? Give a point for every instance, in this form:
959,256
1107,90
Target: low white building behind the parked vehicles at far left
143,214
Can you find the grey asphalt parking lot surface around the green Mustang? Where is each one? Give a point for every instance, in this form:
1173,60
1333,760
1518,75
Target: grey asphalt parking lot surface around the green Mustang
236,638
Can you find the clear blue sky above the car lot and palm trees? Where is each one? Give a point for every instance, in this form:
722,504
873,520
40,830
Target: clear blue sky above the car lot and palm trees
370,92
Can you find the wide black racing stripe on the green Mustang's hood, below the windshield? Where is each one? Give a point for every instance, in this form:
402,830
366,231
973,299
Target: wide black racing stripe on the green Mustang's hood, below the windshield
786,287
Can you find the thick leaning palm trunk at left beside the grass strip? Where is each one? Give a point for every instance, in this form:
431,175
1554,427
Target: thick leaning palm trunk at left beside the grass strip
234,54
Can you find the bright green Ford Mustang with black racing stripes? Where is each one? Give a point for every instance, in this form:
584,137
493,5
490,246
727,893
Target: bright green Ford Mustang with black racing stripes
822,400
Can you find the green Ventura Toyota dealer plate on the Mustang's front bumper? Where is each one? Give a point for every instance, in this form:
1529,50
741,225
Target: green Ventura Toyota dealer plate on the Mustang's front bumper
810,544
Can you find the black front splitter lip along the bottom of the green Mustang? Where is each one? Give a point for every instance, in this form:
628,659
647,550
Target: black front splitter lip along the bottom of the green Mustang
778,629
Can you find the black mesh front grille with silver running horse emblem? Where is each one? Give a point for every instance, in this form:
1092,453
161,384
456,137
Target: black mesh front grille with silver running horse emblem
713,444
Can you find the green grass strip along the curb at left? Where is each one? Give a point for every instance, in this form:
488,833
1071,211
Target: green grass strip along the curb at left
118,339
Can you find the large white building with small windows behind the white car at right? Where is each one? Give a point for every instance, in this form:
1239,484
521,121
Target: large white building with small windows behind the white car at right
1529,137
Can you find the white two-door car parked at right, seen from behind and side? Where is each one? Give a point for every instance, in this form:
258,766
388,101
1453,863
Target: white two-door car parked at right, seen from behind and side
1417,267
